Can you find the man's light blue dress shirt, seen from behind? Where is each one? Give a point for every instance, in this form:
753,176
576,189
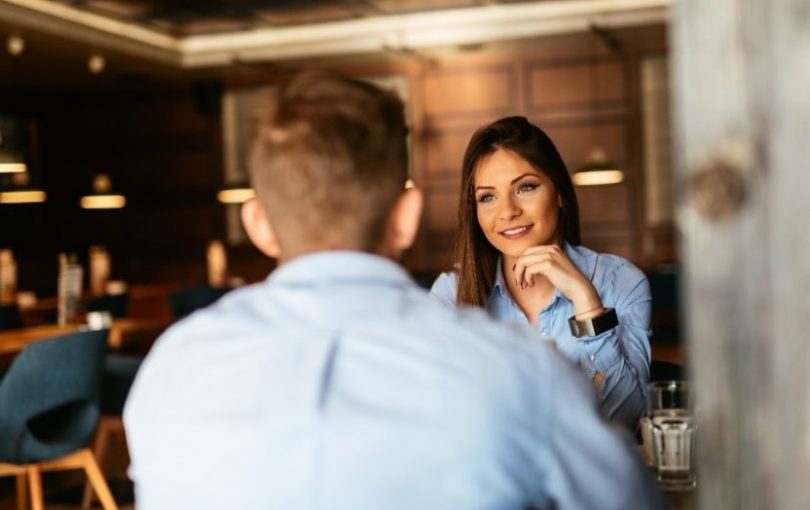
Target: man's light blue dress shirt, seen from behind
338,384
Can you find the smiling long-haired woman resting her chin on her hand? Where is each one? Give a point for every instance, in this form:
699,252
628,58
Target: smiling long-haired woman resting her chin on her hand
519,255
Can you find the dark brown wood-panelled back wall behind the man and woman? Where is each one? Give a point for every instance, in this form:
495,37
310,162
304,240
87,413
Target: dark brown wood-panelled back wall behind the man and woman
164,152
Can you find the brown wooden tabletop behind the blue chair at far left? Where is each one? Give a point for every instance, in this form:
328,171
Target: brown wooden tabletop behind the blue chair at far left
122,333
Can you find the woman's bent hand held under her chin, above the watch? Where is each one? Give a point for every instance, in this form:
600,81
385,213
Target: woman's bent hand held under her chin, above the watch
551,262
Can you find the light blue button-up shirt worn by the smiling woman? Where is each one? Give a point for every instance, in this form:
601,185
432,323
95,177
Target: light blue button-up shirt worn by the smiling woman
621,355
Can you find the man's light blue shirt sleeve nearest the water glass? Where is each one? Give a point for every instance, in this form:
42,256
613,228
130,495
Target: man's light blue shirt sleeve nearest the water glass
587,464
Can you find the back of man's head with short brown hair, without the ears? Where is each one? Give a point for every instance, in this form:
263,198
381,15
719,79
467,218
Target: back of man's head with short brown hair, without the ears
329,162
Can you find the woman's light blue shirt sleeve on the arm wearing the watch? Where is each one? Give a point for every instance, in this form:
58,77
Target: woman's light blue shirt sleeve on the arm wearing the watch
622,355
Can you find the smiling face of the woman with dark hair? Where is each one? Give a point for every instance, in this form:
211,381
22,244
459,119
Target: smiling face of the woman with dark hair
517,205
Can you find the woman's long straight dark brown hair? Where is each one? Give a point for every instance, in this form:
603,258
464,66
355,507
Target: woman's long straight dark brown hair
476,257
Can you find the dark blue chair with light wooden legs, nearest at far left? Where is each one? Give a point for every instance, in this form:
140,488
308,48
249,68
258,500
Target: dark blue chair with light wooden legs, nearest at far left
49,409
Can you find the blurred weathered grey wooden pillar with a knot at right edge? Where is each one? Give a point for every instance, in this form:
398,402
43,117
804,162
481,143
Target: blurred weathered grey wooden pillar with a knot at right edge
742,110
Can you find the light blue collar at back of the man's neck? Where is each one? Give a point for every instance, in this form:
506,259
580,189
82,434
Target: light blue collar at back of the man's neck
338,265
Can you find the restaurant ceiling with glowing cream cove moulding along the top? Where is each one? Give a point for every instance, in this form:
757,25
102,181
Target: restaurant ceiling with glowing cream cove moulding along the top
174,39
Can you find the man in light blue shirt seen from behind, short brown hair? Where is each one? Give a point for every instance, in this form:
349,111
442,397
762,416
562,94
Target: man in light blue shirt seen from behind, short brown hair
337,383
